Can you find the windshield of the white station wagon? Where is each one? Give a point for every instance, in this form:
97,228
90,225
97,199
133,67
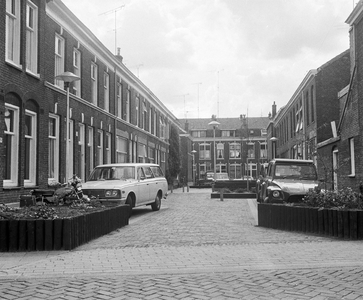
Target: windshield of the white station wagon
112,173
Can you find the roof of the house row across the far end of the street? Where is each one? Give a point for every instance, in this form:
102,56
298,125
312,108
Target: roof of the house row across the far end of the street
226,123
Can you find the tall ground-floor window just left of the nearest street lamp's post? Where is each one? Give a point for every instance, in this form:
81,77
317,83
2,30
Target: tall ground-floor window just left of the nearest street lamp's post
53,148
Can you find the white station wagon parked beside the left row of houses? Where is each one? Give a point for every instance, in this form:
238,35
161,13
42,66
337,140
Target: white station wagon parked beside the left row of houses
135,184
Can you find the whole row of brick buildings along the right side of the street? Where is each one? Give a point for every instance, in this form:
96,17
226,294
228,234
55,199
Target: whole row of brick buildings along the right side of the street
322,120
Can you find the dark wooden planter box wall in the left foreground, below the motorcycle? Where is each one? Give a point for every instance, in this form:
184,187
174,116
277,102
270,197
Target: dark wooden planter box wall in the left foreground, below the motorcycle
60,234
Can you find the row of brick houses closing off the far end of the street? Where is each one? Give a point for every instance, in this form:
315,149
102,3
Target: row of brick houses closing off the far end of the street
239,146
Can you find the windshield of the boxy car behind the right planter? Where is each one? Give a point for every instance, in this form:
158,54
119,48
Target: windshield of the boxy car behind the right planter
295,171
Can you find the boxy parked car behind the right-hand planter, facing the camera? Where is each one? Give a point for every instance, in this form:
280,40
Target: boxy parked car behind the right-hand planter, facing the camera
286,180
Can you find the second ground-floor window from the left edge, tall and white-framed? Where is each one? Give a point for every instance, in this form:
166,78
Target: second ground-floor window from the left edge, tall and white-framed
30,148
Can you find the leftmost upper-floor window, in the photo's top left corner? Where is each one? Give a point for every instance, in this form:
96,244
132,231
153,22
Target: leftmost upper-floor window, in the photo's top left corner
12,45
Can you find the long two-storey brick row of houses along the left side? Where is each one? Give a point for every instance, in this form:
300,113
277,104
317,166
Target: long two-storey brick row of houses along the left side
113,116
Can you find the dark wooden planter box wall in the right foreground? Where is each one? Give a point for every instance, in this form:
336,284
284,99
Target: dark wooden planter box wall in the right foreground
347,224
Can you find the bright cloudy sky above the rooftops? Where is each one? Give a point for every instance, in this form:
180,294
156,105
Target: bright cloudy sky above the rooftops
241,55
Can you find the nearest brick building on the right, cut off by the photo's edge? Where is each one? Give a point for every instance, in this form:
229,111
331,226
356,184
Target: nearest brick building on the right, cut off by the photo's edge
343,152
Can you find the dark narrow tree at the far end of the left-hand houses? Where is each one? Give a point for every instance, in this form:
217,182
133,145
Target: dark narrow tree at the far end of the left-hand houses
173,169
